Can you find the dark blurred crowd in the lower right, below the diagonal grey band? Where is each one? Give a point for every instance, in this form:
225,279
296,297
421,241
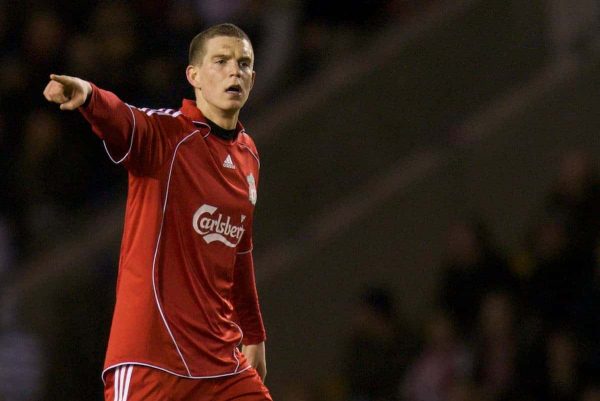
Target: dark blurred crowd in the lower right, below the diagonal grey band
513,325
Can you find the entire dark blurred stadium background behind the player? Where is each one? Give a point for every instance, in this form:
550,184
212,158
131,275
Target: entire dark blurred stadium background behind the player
429,212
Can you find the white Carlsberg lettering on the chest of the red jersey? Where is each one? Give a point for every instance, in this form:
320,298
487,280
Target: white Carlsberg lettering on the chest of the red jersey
213,226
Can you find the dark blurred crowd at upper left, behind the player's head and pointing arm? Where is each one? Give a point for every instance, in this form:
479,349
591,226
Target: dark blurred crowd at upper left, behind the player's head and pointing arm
54,169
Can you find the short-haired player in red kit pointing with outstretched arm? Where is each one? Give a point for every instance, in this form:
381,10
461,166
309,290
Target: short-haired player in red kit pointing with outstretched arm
185,289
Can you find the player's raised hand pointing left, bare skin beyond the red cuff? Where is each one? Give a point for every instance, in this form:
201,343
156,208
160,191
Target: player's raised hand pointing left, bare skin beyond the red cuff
68,92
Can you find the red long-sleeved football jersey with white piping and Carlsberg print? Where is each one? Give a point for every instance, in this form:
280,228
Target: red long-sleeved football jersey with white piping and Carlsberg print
185,288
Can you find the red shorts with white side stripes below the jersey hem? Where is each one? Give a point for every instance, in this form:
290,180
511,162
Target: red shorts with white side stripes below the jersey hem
141,383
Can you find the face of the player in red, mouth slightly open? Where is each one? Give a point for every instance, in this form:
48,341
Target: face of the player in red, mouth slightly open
225,76
